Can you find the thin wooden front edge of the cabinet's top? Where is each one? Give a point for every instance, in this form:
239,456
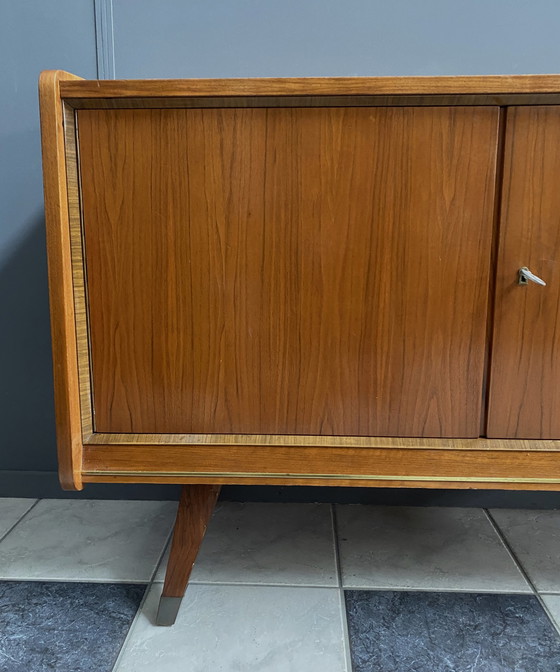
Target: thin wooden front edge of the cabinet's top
306,86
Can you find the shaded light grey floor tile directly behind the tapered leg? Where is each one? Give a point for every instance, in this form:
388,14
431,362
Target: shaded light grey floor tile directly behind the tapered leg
274,544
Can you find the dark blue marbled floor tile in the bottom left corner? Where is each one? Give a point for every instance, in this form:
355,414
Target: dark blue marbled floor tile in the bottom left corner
71,627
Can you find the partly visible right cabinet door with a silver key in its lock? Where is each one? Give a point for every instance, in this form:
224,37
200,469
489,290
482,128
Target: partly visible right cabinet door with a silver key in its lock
524,397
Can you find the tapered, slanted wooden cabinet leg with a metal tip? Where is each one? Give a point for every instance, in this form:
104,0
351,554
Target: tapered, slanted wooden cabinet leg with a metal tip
196,505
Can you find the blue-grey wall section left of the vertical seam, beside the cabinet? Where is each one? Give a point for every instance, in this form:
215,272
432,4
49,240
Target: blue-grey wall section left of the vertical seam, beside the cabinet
33,36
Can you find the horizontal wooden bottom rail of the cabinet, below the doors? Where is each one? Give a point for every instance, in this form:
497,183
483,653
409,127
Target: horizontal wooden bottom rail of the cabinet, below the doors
318,465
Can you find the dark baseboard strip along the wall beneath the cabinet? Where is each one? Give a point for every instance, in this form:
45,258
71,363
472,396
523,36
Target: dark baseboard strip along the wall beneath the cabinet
44,484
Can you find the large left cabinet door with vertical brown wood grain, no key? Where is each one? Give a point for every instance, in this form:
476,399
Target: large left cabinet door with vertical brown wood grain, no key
288,271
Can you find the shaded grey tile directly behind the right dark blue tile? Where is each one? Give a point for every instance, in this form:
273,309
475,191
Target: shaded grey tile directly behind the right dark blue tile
424,549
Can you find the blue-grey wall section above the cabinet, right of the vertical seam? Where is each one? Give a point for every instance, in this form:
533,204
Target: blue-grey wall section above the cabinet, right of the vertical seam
268,38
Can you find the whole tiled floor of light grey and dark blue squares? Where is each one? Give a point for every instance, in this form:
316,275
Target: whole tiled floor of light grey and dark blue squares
280,587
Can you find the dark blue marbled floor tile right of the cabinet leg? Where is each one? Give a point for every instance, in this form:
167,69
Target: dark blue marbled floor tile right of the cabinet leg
450,632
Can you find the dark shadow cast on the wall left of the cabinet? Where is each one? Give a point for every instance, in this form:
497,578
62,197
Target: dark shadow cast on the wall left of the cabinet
26,396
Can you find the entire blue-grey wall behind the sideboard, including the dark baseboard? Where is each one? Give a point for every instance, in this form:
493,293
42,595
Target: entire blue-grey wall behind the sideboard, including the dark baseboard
207,38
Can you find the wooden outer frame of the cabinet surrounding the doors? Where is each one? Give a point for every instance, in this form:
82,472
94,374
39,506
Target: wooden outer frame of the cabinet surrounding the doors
87,456
